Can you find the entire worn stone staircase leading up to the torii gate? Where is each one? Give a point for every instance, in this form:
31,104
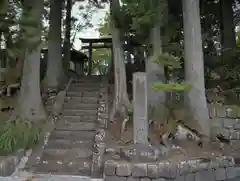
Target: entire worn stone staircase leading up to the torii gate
70,146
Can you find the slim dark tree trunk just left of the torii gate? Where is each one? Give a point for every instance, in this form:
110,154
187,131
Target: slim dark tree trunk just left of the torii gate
67,41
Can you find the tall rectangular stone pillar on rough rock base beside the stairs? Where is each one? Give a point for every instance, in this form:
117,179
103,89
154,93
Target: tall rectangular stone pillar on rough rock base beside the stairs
140,150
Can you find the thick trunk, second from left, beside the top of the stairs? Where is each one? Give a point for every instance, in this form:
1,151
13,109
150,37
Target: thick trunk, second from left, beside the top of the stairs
54,65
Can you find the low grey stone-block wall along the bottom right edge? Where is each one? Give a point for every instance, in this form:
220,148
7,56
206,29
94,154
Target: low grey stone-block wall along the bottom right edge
218,169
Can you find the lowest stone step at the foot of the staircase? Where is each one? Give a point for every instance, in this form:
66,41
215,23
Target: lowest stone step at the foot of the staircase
67,167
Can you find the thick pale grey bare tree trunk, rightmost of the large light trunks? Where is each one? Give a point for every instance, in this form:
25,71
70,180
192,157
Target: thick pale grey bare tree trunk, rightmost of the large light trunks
194,72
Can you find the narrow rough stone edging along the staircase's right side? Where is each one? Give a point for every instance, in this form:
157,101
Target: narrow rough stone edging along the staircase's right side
99,142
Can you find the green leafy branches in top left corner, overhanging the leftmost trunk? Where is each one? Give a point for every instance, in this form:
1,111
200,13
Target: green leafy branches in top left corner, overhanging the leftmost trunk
19,28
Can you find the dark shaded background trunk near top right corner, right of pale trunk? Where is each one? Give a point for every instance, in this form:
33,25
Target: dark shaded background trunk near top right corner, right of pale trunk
228,28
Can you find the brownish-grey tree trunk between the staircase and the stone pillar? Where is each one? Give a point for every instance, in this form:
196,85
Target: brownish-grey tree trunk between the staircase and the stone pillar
121,96
